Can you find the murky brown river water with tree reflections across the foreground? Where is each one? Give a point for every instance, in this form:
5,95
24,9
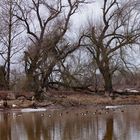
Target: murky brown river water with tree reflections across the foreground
121,124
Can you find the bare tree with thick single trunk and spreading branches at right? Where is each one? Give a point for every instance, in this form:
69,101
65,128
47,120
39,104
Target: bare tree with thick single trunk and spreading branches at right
118,30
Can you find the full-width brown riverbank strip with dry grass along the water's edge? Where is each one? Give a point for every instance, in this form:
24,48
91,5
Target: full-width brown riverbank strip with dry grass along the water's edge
75,99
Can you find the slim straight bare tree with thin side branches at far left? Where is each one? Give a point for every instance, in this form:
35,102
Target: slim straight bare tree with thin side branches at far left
9,35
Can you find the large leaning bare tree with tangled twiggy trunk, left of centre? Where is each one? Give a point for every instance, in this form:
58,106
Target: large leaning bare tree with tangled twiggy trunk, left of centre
47,33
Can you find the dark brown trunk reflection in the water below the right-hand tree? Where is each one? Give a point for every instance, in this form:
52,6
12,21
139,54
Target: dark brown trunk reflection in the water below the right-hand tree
109,129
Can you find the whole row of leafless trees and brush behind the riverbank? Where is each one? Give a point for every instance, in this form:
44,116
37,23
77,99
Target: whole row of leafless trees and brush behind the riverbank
38,33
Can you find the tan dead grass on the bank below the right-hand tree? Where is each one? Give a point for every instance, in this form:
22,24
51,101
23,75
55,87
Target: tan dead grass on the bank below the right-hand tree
84,99
